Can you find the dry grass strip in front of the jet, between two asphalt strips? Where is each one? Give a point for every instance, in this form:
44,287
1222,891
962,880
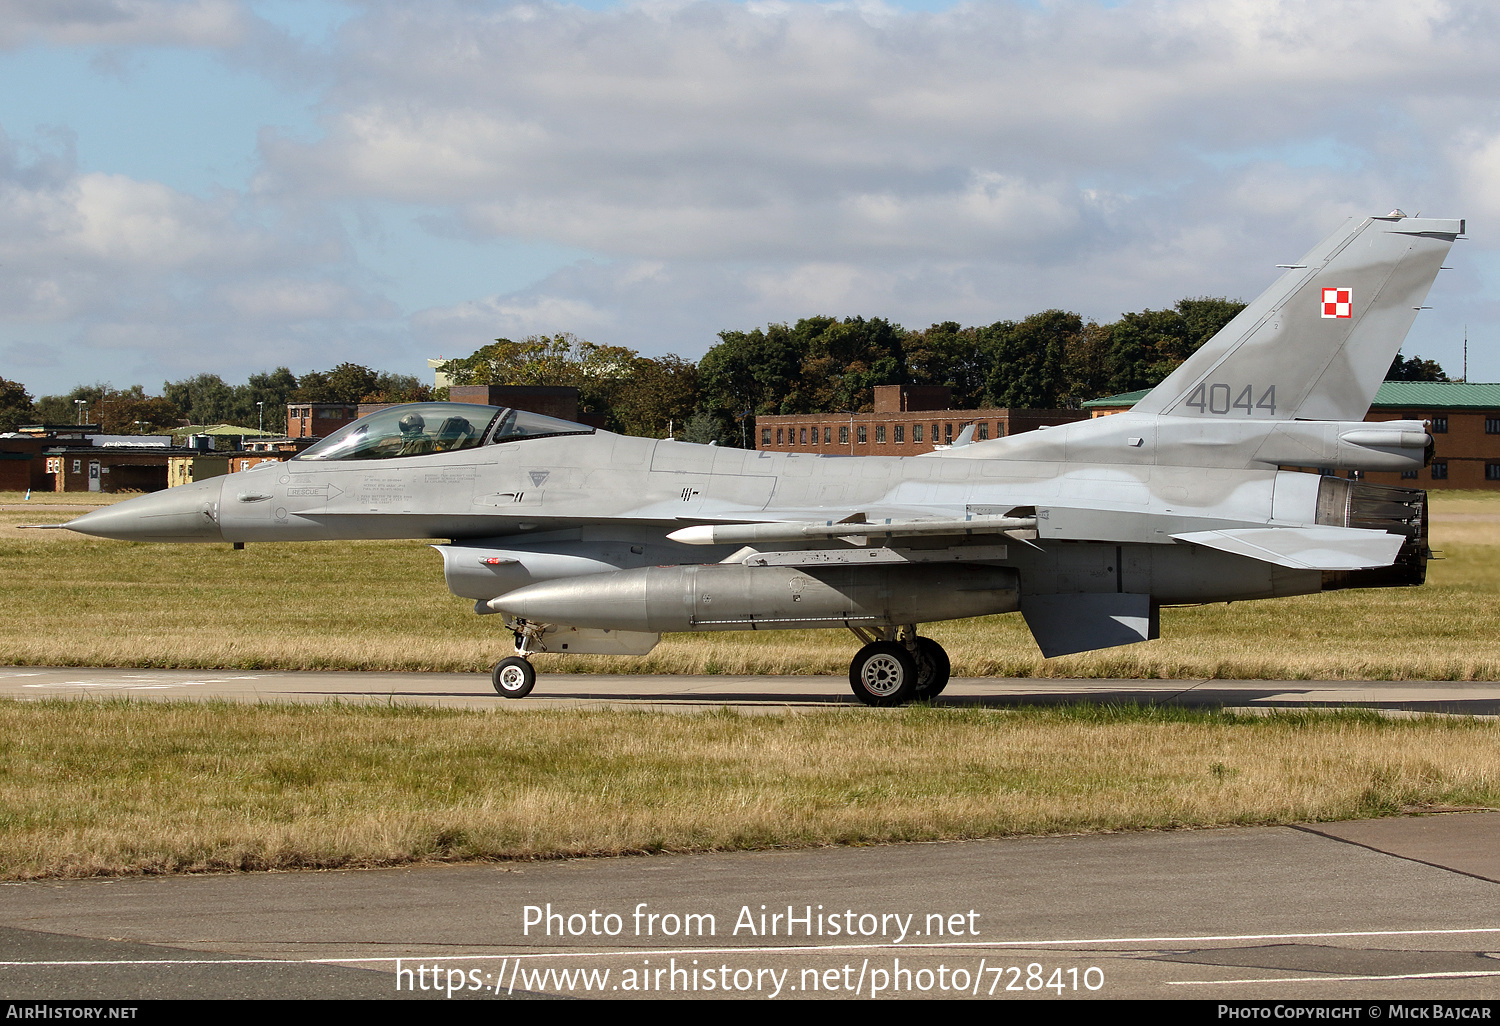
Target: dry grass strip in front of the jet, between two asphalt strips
97,788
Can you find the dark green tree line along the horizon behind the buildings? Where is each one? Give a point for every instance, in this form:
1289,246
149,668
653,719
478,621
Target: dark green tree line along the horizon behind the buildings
814,367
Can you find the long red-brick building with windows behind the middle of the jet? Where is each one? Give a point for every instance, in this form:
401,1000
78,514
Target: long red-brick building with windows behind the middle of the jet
908,421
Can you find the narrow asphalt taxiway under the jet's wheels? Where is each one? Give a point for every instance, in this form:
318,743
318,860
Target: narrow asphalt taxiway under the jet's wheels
746,694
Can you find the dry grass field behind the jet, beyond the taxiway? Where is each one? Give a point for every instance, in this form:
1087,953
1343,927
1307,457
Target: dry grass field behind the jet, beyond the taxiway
383,605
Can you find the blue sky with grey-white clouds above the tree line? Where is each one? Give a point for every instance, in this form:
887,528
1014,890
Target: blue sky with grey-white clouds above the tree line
212,185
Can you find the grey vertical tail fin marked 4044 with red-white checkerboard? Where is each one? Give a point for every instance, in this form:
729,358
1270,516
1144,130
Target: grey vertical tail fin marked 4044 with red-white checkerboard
1318,344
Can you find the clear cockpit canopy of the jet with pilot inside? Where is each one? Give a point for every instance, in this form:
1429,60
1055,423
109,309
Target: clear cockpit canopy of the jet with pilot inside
422,428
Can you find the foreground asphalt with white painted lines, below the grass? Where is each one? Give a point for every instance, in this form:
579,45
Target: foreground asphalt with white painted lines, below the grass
1391,910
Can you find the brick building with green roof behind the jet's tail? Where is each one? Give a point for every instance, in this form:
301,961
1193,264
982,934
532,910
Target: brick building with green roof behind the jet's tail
1463,419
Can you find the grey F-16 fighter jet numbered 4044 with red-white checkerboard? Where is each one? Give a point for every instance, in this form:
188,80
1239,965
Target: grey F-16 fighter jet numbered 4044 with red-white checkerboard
589,542
